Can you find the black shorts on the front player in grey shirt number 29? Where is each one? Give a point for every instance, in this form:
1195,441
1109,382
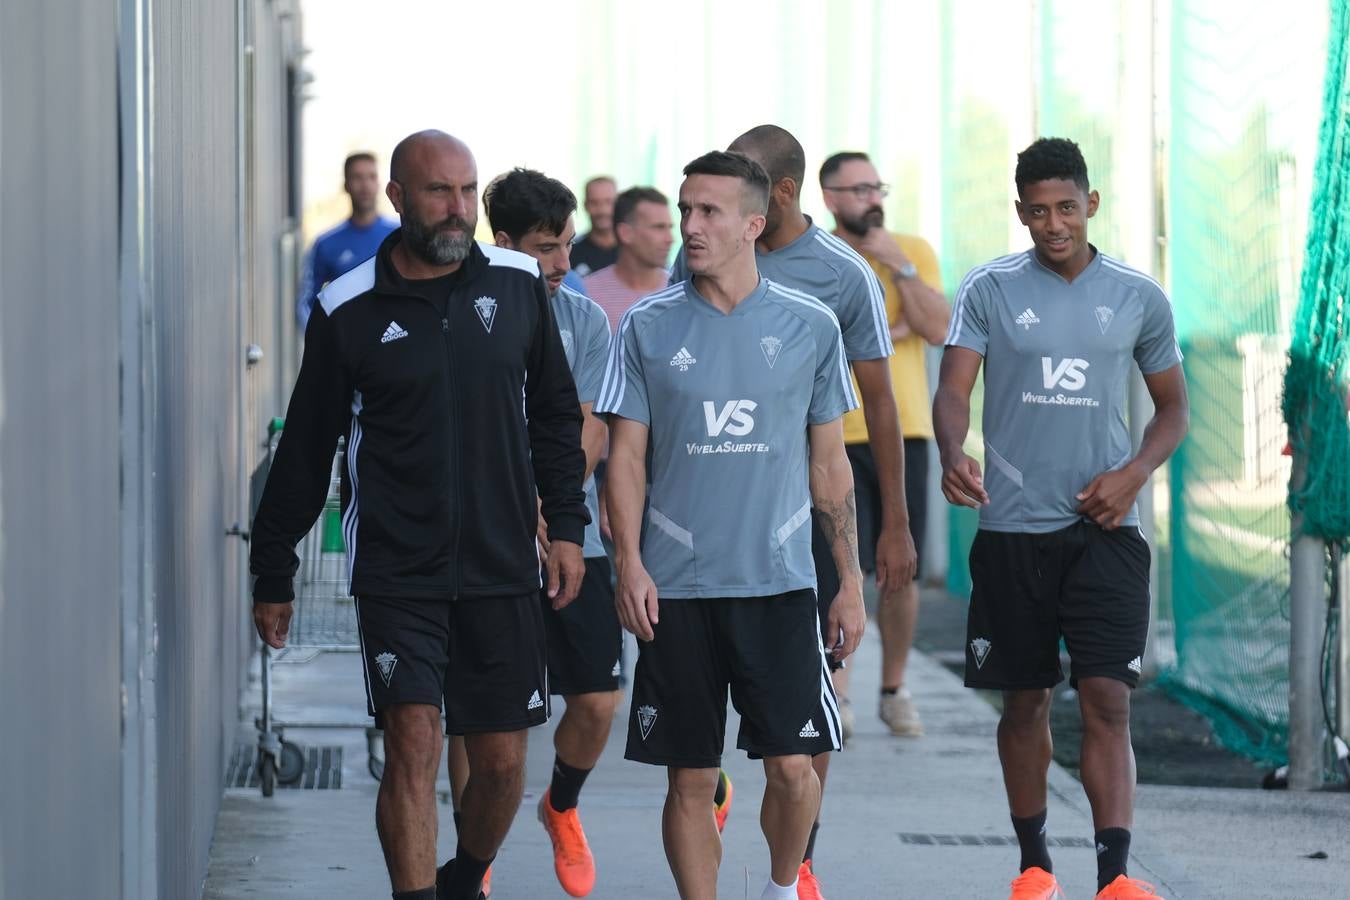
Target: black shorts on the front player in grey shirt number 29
765,650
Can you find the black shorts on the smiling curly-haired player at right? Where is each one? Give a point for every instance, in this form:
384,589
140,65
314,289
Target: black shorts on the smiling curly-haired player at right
1083,584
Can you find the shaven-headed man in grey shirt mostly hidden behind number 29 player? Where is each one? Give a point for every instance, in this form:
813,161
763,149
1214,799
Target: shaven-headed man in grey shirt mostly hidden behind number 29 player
797,254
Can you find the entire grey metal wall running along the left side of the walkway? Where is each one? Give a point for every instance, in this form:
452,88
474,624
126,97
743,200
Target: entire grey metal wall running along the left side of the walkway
144,165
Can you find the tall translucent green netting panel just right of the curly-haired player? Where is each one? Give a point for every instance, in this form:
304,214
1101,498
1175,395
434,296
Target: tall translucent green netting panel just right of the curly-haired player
1240,168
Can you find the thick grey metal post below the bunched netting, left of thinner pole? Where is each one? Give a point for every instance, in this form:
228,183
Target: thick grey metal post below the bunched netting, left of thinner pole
1307,620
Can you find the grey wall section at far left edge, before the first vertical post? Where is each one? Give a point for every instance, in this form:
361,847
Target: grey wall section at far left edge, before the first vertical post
60,607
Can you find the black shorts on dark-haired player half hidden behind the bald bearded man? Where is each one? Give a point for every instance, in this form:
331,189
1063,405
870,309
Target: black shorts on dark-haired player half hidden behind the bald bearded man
585,639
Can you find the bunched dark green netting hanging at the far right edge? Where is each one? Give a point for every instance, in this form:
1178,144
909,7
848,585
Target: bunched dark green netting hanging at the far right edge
1316,384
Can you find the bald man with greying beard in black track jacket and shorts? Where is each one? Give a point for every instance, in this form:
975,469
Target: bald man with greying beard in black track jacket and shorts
441,362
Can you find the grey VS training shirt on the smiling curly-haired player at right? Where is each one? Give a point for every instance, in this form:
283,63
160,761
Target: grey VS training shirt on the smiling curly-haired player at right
1058,361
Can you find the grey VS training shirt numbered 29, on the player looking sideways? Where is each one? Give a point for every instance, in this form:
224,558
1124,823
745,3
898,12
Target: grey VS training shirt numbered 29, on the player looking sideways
728,400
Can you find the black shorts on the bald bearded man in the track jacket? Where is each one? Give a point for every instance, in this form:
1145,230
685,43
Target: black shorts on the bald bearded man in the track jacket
481,659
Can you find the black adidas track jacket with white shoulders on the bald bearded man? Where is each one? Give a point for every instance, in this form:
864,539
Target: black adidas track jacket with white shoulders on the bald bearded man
452,423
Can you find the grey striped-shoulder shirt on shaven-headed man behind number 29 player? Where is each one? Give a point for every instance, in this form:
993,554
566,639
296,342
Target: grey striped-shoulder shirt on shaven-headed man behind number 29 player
821,265
